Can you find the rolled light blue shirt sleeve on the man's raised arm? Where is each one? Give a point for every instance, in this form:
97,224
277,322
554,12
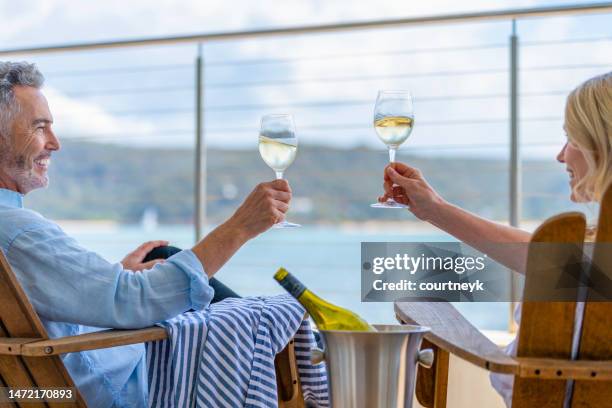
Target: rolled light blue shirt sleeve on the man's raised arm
68,283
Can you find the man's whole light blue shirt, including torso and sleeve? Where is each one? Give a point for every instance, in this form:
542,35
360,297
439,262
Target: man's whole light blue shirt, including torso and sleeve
76,291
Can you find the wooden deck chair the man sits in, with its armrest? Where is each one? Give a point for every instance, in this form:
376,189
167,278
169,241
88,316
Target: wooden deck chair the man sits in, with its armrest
28,358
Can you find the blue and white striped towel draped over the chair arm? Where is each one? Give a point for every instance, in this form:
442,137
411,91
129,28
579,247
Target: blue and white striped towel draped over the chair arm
223,356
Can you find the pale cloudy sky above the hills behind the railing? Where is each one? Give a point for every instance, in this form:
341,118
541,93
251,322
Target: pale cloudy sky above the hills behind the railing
458,73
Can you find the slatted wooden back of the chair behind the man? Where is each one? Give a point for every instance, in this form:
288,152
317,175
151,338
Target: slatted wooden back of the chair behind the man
19,320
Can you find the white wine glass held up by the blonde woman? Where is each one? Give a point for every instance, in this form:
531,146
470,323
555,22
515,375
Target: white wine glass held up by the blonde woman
393,122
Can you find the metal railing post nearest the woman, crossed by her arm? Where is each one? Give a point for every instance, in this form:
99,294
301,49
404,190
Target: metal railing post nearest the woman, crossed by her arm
515,159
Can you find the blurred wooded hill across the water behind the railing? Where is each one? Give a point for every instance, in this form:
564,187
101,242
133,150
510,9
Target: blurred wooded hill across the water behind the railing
97,181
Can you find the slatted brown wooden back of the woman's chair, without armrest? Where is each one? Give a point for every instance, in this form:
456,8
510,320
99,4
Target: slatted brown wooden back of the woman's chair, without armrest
547,328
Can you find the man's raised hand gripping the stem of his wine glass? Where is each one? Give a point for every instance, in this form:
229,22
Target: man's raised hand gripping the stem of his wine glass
264,207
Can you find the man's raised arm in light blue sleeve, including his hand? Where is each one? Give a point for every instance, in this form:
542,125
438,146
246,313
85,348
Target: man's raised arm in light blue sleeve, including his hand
67,283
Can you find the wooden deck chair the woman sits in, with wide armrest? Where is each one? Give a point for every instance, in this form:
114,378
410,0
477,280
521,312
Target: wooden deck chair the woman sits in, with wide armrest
543,362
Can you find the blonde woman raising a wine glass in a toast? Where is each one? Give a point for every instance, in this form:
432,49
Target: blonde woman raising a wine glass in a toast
587,156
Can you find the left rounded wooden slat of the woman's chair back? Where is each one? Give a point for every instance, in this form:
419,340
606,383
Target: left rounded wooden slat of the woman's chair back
547,327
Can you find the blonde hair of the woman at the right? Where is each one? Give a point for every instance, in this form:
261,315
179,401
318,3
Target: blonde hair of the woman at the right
588,123
